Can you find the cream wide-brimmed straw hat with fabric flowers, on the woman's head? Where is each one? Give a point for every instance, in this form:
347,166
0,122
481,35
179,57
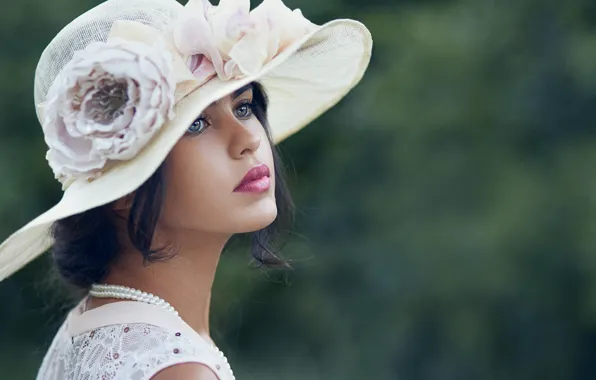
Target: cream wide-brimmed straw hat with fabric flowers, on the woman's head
119,85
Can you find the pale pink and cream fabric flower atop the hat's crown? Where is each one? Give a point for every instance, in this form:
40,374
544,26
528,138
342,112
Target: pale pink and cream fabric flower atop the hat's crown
231,41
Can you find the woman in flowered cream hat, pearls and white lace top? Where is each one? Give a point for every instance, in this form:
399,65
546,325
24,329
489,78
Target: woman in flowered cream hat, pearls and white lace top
159,128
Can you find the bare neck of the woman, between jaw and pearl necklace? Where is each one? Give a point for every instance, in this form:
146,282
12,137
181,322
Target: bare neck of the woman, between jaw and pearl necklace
185,280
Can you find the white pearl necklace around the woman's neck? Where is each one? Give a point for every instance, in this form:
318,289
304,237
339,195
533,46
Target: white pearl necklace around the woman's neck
126,293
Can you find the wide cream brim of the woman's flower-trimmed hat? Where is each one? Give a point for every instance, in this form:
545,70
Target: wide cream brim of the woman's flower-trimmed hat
302,82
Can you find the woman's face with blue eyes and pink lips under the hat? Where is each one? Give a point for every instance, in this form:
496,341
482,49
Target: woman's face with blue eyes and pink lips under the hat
207,188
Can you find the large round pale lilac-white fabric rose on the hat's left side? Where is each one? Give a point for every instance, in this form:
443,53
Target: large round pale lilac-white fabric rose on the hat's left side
106,104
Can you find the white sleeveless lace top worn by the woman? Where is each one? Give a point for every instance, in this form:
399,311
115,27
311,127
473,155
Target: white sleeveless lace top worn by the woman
125,340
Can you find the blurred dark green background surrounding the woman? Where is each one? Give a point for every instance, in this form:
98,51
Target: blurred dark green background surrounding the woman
447,224
